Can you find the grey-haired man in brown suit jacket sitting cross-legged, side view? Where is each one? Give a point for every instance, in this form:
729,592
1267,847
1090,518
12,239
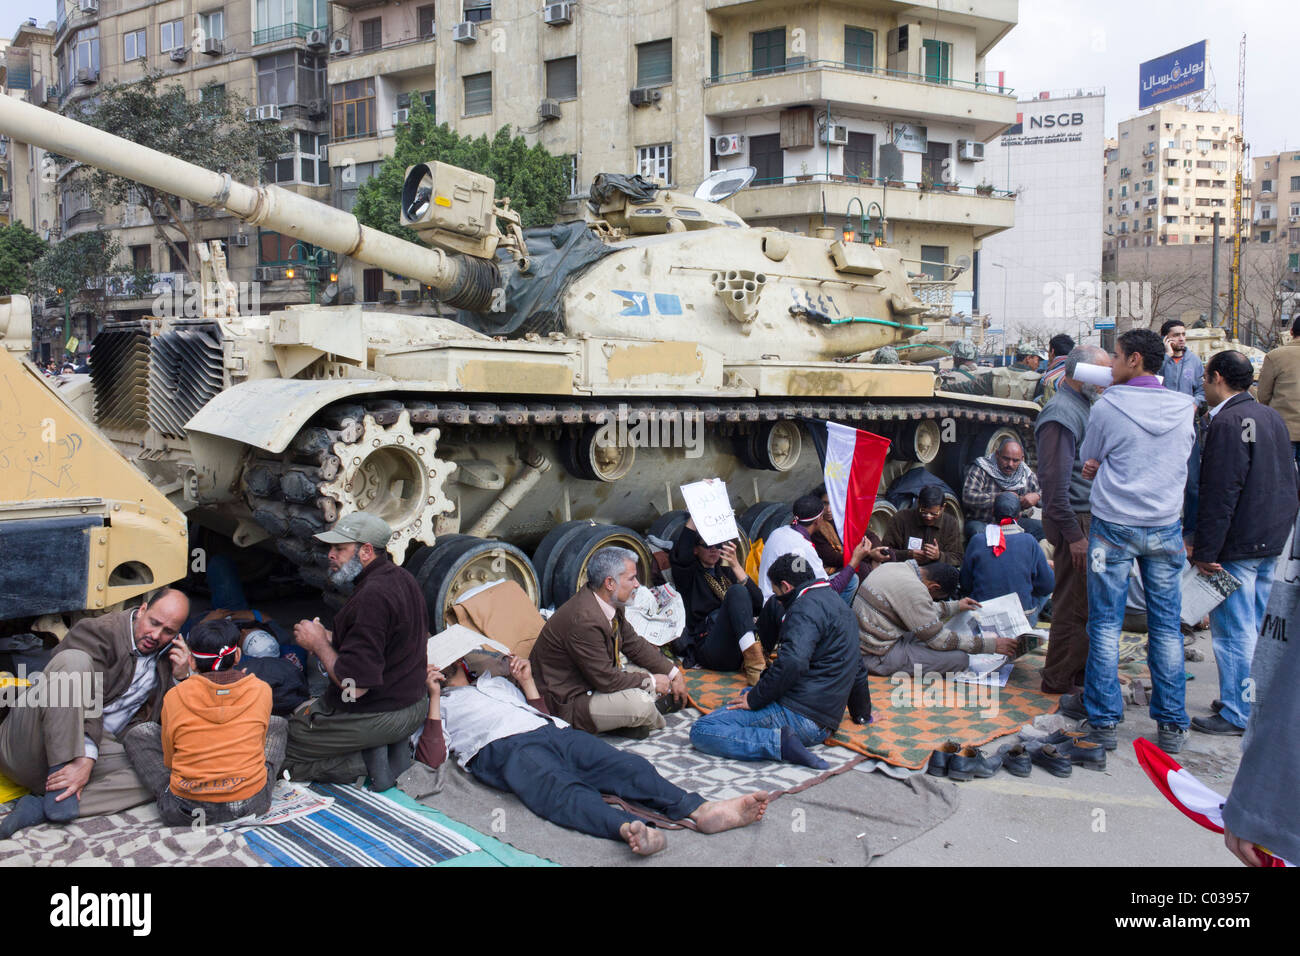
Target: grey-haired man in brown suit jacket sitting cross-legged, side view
577,660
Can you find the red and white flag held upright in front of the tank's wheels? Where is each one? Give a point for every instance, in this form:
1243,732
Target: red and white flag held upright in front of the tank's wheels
852,462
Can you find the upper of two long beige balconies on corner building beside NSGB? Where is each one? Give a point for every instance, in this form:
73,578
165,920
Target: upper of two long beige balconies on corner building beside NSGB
990,109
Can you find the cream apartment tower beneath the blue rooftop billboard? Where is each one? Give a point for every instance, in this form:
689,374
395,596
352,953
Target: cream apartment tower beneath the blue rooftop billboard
1169,175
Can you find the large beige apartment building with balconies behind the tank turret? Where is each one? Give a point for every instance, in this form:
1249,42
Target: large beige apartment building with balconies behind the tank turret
808,94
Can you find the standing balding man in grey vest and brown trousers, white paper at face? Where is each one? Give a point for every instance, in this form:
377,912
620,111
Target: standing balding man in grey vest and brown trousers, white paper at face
1067,516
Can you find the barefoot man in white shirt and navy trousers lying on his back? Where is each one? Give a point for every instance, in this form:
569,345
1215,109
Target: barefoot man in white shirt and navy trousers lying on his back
499,729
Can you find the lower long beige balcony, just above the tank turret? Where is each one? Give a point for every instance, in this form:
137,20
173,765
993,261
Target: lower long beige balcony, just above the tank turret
967,206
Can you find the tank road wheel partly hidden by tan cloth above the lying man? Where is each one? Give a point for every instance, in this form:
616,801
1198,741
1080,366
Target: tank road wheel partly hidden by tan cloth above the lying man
460,564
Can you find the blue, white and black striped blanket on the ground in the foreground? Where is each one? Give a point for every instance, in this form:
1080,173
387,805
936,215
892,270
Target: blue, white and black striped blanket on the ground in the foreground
359,829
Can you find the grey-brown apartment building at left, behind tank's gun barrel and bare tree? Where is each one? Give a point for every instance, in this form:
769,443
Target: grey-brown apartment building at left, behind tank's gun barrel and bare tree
254,49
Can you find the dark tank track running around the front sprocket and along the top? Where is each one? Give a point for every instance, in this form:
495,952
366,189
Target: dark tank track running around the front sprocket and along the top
288,492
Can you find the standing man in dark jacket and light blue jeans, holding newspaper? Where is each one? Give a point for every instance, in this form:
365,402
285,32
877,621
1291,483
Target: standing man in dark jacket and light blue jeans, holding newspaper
1246,508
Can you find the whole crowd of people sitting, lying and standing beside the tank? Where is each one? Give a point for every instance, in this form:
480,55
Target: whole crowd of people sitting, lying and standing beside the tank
194,725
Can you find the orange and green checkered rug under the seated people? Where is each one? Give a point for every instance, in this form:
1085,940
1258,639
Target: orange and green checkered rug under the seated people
913,720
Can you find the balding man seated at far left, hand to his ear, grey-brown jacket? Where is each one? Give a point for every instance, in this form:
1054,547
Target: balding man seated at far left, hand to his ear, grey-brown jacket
62,741
